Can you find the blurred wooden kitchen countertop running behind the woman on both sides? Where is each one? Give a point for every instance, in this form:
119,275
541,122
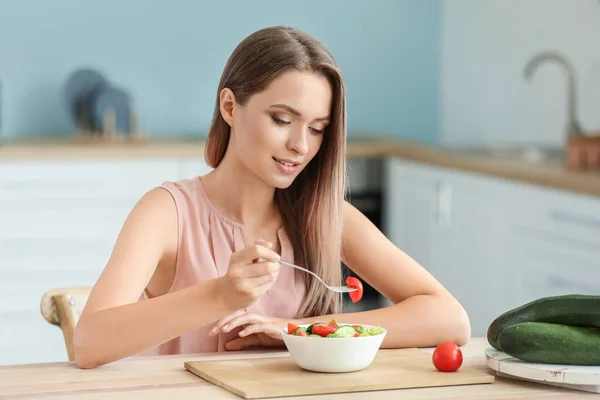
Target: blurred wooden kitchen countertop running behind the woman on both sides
550,173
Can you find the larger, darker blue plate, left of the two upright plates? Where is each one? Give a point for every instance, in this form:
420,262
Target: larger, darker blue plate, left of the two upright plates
79,91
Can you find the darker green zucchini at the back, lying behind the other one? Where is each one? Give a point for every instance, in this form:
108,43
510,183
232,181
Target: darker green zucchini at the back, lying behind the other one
570,309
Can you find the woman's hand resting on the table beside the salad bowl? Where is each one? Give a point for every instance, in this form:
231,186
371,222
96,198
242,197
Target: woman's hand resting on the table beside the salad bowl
258,330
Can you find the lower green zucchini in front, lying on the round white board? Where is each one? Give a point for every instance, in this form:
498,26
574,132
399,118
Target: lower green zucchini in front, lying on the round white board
543,342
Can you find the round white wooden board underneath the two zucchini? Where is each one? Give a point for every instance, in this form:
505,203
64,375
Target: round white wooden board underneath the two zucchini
586,378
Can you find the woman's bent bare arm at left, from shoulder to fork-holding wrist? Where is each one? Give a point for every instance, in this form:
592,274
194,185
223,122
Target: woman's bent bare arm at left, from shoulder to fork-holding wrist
114,324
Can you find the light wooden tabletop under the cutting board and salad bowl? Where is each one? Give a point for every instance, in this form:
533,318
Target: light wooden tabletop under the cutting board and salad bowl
165,377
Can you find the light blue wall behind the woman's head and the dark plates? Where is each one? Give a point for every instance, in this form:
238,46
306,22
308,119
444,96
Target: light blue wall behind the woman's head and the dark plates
170,53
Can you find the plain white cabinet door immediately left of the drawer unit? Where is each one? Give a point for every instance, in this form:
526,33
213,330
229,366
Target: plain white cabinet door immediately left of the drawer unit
472,248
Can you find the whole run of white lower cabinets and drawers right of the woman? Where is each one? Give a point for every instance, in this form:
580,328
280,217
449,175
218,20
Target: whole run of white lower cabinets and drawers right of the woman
494,243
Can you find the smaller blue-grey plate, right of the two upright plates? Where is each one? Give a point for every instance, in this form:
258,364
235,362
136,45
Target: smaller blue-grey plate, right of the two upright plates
116,100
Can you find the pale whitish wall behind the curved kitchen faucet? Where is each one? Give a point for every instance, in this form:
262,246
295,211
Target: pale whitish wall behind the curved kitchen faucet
487,44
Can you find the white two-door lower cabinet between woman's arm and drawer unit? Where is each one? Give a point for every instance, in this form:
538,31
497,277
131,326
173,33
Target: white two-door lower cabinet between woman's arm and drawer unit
455,230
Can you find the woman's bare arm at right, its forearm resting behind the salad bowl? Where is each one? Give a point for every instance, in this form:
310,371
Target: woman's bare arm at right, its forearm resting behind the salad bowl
424,312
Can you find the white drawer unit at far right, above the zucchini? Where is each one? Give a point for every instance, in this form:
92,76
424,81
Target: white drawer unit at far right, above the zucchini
555,242
